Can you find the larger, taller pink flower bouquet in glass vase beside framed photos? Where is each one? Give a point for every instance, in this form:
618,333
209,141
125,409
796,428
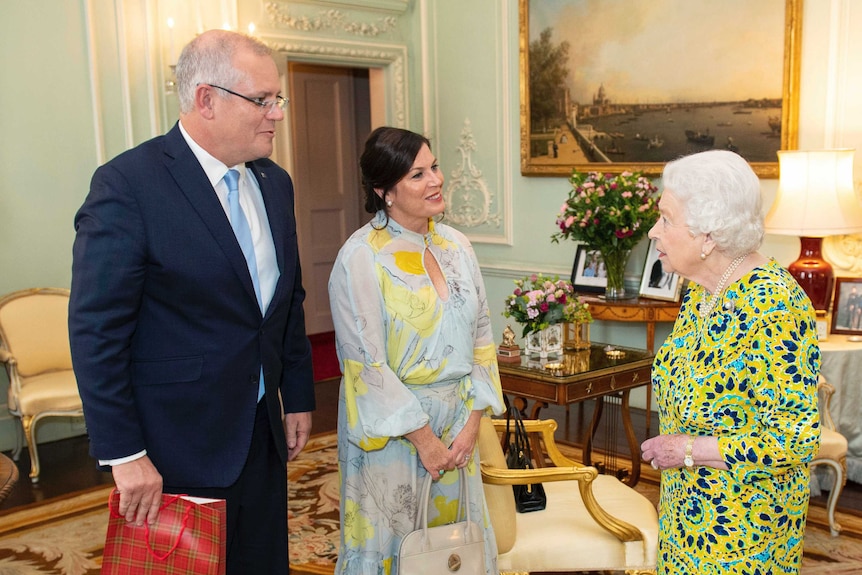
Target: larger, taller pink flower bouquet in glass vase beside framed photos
610,213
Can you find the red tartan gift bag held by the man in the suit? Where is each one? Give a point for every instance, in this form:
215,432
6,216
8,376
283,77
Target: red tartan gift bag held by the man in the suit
188,537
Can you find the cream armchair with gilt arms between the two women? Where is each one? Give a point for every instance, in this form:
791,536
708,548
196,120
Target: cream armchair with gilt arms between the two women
591,522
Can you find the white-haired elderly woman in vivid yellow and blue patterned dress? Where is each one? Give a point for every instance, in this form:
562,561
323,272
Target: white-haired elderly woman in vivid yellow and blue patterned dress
735,382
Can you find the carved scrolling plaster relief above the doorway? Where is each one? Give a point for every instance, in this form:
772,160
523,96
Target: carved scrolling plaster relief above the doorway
329,20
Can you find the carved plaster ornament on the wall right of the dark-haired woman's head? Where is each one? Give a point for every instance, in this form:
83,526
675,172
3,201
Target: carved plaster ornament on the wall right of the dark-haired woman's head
467,194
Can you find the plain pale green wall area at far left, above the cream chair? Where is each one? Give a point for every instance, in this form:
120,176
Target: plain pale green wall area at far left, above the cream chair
47,149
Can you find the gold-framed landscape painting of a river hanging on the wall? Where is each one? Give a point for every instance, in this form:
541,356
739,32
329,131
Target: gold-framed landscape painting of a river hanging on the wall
618,86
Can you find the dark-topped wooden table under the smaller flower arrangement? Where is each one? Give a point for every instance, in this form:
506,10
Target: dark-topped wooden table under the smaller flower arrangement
581,375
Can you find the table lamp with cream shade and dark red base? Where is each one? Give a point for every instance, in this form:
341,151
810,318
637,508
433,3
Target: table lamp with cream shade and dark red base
815,199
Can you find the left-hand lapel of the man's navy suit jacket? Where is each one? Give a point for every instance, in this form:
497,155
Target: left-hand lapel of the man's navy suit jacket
193,183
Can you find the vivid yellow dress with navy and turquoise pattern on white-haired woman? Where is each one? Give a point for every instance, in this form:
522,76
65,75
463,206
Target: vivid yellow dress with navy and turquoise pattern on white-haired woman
749,377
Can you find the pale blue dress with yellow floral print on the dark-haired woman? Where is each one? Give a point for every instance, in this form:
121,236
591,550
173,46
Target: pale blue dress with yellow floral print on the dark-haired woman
408,358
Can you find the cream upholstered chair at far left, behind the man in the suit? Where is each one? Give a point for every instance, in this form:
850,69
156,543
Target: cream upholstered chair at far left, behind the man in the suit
34,346
